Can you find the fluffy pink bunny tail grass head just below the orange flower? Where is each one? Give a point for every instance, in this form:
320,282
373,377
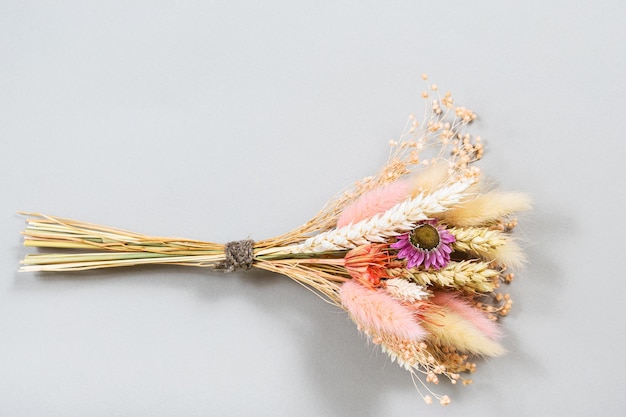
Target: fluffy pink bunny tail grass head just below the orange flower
374,309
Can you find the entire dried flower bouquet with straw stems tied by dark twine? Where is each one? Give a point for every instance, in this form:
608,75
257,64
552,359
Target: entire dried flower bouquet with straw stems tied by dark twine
415,254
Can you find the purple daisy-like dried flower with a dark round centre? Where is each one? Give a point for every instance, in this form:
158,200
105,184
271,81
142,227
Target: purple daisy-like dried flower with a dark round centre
427,244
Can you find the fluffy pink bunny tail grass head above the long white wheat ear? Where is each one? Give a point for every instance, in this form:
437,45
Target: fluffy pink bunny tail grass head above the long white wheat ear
376,201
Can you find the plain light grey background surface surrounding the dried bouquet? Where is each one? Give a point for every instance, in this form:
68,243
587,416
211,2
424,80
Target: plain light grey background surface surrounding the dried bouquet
223,120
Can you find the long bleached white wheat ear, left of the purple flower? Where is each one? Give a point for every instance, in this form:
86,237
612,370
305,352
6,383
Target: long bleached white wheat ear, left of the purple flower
400,218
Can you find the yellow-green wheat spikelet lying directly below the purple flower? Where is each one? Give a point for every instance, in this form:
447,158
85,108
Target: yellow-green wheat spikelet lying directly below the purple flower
472,276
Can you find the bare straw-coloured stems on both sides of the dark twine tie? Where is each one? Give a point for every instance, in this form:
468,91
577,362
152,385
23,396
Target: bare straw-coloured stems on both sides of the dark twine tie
117,248
